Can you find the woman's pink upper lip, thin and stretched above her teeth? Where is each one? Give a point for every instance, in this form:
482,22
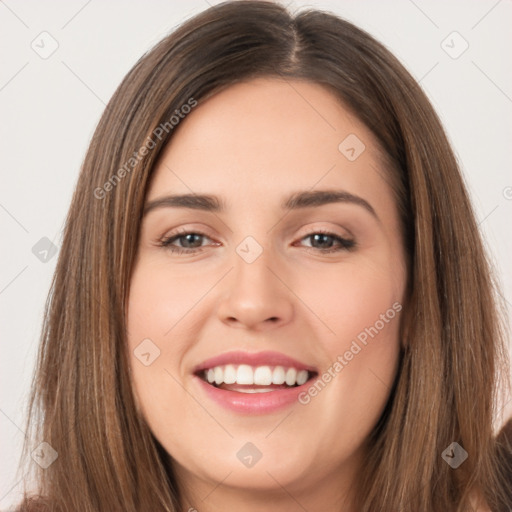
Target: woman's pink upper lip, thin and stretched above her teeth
267,358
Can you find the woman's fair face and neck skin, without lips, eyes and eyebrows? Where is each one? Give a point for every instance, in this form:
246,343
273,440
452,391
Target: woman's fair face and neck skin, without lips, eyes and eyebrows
253,144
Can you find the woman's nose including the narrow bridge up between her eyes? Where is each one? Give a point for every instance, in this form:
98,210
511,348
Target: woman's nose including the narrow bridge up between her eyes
255,296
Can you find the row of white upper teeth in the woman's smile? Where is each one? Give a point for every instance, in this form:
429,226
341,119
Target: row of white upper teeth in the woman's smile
259,375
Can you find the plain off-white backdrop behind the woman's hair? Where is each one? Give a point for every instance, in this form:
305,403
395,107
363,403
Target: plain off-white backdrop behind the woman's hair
50,104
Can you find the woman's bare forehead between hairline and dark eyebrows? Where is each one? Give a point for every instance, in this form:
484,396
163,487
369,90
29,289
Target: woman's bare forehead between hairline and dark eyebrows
268,134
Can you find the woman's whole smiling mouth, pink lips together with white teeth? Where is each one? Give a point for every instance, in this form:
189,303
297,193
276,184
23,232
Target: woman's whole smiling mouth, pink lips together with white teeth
254,383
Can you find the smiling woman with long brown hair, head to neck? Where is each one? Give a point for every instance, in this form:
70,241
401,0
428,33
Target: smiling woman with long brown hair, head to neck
271,291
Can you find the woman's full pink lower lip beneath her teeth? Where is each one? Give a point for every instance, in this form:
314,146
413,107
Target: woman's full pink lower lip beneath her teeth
253,403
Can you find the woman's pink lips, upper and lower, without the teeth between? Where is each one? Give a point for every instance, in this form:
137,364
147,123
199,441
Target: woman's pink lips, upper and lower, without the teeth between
253,403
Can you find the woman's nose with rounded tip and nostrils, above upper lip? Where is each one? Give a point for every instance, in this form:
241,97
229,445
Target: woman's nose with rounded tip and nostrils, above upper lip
255,296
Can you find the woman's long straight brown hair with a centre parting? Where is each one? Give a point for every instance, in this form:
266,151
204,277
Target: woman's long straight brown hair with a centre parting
454,351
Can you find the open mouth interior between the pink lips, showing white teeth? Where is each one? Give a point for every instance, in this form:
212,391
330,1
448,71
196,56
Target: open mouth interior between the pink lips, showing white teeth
244,378
